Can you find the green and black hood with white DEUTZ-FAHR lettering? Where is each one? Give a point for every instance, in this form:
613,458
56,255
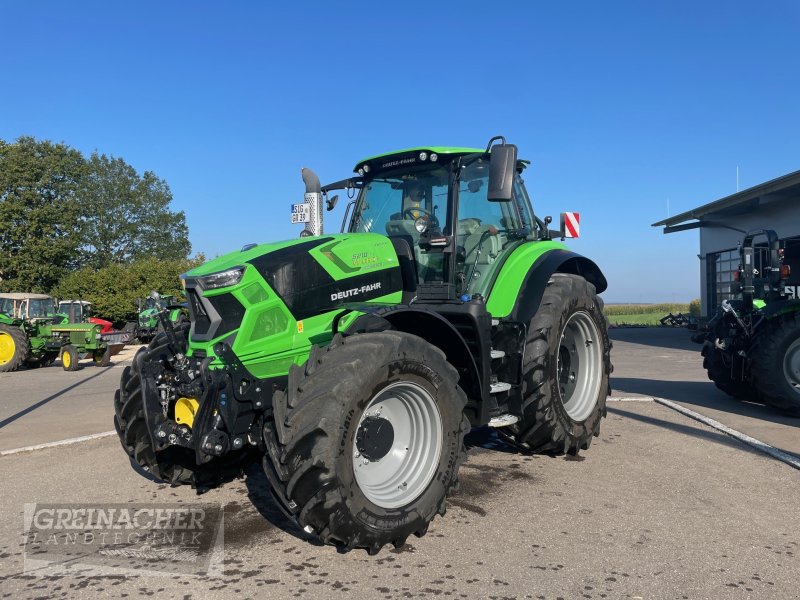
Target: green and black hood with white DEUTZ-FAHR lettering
276,287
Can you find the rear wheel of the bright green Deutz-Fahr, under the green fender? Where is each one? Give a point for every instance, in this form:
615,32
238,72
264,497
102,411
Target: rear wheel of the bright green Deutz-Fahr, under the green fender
565,372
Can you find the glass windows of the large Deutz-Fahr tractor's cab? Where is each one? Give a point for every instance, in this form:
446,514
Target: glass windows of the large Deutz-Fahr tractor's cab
484,231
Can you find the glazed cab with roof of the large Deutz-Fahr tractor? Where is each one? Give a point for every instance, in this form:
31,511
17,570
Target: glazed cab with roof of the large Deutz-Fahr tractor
453,214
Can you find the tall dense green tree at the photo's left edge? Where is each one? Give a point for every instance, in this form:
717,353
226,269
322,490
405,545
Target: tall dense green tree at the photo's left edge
39,213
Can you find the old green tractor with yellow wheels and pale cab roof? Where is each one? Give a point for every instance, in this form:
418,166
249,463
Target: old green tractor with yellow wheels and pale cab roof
31,333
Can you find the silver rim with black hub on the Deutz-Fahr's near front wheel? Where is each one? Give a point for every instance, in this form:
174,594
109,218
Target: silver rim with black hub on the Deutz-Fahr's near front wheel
397,445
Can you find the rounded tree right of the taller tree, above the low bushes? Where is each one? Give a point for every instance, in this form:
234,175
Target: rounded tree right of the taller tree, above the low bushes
126,217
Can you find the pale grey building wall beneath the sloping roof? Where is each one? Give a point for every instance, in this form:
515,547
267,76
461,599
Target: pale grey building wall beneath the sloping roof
782,216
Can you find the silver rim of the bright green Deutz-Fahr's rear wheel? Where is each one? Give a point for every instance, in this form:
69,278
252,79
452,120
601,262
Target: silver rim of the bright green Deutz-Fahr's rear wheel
580,365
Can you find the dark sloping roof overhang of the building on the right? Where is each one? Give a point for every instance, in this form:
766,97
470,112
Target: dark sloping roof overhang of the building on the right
781,188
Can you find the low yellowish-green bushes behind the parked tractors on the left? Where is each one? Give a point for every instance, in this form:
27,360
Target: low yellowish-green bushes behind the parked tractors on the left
114,289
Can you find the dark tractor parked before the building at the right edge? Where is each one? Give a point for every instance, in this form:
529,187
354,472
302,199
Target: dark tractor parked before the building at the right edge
752,348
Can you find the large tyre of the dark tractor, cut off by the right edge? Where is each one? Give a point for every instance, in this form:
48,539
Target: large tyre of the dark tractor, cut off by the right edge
775,366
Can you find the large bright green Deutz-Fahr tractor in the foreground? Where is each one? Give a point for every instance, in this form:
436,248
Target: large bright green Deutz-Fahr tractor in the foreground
352,365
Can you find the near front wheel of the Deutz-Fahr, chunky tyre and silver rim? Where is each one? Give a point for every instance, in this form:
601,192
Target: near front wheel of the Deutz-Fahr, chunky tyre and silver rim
366,443
